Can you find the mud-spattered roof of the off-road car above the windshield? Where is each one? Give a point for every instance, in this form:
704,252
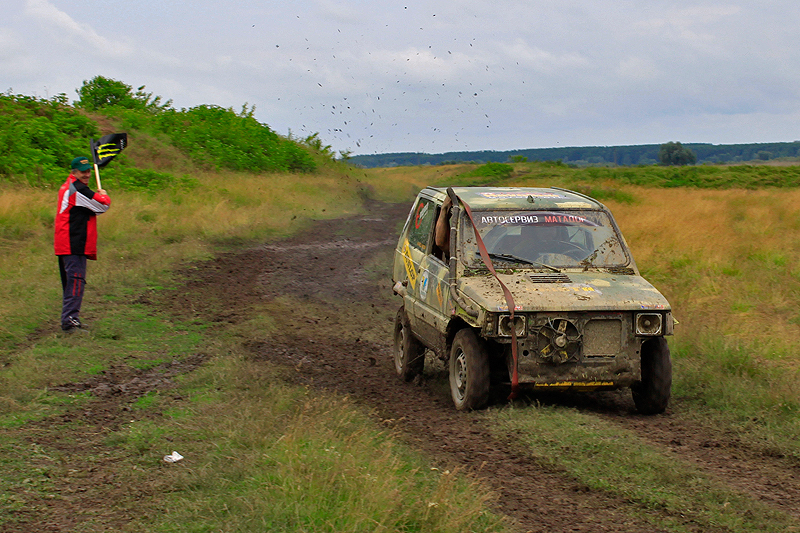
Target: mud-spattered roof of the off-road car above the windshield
522,198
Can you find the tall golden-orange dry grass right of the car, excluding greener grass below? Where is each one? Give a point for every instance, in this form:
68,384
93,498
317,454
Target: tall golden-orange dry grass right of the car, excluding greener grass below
729,261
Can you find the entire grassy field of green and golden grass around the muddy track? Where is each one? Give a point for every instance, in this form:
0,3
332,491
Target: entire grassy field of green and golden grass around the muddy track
726,256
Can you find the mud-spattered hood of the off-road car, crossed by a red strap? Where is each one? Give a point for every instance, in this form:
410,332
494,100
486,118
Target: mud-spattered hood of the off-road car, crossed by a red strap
567,291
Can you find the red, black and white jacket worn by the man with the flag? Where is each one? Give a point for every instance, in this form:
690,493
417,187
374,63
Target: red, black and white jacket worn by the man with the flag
76,219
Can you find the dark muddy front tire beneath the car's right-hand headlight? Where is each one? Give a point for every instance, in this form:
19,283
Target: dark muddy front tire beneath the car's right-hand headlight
651,394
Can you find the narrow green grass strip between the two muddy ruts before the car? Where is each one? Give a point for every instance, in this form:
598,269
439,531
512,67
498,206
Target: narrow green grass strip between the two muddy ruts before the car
612,459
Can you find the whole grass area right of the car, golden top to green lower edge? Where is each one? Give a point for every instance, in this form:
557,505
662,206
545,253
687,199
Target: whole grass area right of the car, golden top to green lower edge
729,262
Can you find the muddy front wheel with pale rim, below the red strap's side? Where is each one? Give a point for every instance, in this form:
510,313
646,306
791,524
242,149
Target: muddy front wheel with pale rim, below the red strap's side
469,371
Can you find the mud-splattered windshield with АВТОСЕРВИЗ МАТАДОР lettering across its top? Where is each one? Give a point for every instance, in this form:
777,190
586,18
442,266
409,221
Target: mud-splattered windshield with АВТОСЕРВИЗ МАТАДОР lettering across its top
542,239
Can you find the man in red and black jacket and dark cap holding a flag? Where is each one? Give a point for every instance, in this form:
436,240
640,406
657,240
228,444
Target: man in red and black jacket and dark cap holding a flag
76,236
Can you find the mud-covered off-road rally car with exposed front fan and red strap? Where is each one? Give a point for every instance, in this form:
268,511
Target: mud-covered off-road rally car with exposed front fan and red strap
527,287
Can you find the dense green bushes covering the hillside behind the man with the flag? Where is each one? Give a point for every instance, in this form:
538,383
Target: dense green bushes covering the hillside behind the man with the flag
39,137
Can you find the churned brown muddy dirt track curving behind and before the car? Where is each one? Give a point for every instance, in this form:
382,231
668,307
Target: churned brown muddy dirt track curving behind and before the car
335,277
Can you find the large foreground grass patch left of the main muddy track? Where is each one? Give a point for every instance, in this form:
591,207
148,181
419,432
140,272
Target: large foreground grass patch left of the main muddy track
291,461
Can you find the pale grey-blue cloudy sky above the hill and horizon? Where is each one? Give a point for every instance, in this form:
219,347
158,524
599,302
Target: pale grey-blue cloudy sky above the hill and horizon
434,76
